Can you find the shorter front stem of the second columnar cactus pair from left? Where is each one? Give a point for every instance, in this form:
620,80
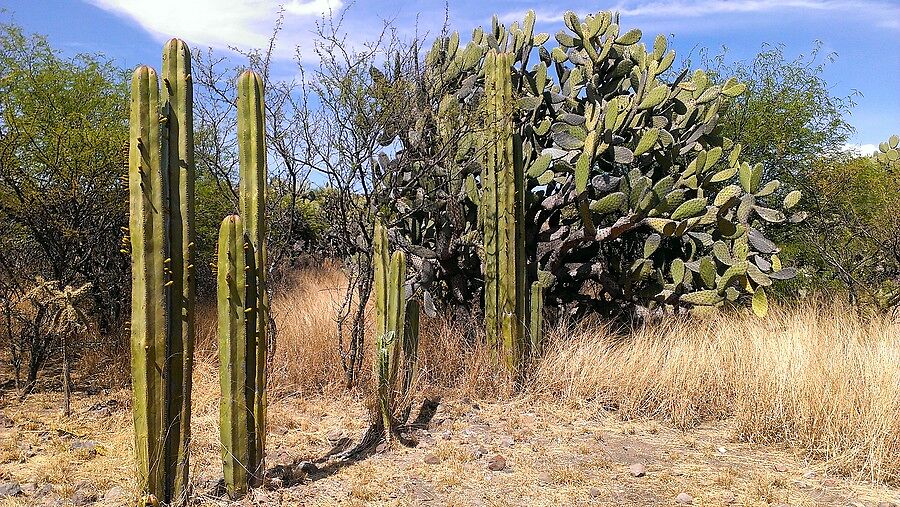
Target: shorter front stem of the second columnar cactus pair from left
237,301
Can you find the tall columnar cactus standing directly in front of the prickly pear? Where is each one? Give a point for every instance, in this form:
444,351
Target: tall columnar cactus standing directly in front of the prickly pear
502,205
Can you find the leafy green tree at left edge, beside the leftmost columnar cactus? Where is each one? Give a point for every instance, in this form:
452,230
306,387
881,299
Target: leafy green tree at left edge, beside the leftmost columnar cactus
62,129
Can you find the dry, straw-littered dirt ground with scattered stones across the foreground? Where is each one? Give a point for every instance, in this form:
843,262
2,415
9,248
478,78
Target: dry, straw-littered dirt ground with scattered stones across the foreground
473,453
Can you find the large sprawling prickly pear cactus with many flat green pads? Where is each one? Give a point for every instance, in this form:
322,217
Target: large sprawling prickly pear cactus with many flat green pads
634,198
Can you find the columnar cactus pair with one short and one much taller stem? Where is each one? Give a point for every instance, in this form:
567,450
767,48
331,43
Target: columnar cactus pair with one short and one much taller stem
243,303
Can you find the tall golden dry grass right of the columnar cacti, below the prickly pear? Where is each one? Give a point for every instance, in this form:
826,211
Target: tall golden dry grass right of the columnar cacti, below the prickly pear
818,377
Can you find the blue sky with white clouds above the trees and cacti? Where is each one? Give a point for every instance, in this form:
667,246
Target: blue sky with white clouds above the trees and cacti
865,34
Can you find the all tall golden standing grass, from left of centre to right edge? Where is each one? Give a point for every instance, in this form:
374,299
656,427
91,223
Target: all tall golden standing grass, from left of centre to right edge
819,377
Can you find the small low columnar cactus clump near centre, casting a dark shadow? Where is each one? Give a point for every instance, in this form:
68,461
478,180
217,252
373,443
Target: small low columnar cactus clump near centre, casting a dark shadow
396,333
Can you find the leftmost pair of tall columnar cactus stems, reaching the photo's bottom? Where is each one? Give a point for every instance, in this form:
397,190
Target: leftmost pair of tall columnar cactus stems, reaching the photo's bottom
161,200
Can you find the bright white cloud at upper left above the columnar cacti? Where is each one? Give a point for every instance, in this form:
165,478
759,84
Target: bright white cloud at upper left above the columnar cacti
245,24
